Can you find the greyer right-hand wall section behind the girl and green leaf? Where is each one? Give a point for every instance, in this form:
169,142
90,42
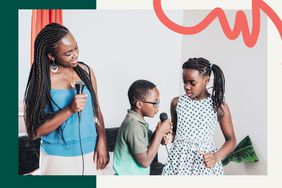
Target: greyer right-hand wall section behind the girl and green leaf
245,74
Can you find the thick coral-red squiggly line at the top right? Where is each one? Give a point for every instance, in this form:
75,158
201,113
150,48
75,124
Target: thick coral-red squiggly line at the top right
241,23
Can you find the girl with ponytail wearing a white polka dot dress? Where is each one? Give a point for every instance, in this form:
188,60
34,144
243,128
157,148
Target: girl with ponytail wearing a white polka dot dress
194,116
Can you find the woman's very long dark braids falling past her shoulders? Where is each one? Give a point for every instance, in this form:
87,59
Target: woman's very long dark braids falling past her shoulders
37,95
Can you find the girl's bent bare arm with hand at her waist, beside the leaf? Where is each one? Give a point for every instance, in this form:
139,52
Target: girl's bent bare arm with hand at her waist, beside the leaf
225,121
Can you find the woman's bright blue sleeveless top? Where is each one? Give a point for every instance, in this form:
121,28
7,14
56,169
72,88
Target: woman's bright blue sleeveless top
53,143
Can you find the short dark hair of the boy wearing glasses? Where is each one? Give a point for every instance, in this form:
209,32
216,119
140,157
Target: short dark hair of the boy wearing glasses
139,90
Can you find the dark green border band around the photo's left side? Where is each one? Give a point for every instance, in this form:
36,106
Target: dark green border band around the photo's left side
9,96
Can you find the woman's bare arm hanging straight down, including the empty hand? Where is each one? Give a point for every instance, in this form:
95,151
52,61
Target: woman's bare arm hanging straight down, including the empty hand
101,154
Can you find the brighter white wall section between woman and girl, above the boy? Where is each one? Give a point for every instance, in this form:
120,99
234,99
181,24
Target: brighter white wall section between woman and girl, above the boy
123,46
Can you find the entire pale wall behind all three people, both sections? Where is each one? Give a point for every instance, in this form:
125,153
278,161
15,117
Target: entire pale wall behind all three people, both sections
124,45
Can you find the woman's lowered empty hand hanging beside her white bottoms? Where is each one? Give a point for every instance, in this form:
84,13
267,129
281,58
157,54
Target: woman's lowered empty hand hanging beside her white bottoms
101,154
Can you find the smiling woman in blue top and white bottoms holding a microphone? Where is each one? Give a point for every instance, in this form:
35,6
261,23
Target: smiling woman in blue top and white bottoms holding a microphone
69,145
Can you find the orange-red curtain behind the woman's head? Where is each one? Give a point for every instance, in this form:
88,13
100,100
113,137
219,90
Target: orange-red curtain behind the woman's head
39,19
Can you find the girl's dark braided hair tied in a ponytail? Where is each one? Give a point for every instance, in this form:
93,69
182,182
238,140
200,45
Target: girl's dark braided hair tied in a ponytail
205,68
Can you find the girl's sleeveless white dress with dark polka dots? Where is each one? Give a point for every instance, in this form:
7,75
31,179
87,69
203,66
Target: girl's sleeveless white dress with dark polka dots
196,121
